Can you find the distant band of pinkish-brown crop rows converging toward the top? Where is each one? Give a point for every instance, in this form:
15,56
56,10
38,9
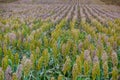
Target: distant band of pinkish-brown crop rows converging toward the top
58,11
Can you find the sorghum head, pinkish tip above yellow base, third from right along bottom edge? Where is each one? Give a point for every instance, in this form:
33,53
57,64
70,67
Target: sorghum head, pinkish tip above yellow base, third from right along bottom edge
96,68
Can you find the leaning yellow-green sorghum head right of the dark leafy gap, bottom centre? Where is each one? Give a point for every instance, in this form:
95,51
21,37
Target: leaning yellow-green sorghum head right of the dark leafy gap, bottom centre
67,65
